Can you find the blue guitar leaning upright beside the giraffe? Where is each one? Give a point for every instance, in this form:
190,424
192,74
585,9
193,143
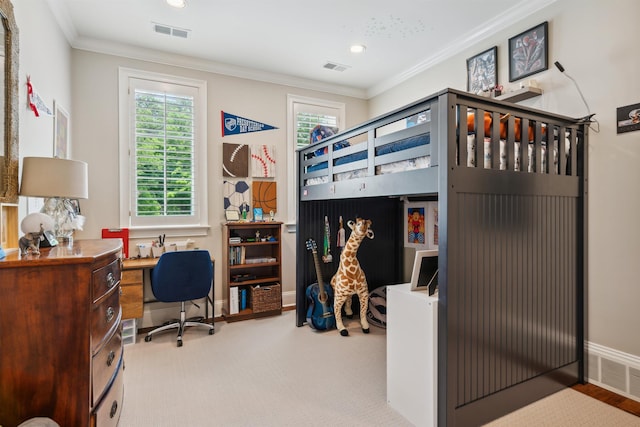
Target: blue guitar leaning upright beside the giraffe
319,297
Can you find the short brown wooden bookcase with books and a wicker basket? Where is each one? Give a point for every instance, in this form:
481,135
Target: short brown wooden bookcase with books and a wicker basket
252,270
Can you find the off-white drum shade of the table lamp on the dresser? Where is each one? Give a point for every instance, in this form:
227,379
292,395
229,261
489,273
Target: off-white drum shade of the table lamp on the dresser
52,177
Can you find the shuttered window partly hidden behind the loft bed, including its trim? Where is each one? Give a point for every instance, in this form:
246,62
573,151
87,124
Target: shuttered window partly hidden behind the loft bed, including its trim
303,114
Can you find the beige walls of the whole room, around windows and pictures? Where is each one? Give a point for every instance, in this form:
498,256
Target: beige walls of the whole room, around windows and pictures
593,40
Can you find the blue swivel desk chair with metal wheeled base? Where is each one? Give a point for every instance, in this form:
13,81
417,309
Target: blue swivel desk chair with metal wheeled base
179,277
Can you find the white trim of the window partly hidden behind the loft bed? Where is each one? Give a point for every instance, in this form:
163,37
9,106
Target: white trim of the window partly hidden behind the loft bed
292,158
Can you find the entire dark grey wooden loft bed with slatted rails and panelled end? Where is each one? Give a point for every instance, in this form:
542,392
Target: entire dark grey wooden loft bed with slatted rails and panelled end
512,237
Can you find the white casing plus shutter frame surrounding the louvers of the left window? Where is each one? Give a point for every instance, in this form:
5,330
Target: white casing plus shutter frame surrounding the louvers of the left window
153,226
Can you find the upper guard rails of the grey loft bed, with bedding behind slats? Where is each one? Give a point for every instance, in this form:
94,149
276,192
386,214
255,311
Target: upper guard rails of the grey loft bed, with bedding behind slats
403,145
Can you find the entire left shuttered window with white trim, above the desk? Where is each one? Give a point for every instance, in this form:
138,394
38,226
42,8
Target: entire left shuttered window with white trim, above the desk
162,152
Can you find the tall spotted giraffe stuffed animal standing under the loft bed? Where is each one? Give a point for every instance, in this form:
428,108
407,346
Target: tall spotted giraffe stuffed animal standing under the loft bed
350,279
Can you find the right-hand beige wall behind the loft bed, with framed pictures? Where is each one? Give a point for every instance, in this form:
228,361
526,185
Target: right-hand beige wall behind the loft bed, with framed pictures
594,41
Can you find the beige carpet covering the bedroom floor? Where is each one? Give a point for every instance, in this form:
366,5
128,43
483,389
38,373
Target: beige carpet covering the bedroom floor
268,372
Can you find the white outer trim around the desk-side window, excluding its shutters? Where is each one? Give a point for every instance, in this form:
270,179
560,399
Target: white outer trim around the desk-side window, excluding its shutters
124,75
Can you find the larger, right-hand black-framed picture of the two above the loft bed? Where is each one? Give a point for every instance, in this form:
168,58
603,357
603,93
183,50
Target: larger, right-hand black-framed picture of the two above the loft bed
529,52
